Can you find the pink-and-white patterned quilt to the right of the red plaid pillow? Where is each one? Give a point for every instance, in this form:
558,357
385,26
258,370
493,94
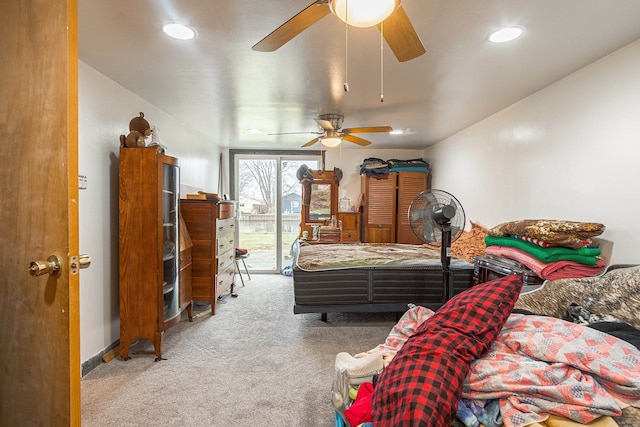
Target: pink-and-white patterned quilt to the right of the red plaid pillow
542,365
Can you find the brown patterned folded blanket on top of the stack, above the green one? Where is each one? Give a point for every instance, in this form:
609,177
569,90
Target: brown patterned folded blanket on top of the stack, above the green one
570,234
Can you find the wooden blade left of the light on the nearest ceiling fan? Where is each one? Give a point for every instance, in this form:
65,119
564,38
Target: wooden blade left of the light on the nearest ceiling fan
294,26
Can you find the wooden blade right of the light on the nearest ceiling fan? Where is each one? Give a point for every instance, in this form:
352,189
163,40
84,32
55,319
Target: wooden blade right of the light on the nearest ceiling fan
401,36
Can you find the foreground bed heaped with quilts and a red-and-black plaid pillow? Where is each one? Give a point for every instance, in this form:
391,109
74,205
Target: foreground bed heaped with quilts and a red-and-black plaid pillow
565,354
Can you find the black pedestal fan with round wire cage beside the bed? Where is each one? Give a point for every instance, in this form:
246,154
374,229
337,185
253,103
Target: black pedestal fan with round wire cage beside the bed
437,219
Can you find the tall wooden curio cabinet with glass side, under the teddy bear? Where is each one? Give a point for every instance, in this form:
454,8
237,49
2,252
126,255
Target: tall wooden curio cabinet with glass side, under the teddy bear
149,247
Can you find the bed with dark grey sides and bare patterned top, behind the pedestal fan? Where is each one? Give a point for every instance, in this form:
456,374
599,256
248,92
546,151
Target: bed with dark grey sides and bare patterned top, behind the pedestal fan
370,277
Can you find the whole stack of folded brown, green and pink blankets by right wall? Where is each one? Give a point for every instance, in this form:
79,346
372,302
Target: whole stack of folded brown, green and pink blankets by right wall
552,249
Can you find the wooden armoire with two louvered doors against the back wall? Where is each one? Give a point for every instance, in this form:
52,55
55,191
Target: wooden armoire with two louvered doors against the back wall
385,217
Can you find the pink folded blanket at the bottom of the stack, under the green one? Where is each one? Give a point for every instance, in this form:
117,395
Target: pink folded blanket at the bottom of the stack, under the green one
548,271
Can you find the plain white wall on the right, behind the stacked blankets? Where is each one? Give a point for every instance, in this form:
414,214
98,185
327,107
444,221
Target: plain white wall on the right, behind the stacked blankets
570,151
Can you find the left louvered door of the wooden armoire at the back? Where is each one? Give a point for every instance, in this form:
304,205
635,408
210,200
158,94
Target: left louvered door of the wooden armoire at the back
380,208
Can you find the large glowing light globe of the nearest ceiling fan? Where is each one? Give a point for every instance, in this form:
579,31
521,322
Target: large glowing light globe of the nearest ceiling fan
363,13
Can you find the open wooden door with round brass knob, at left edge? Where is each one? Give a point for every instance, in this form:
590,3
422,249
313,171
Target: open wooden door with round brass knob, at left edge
40,356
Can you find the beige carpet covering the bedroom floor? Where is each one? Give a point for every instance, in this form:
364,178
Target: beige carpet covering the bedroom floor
254,363
